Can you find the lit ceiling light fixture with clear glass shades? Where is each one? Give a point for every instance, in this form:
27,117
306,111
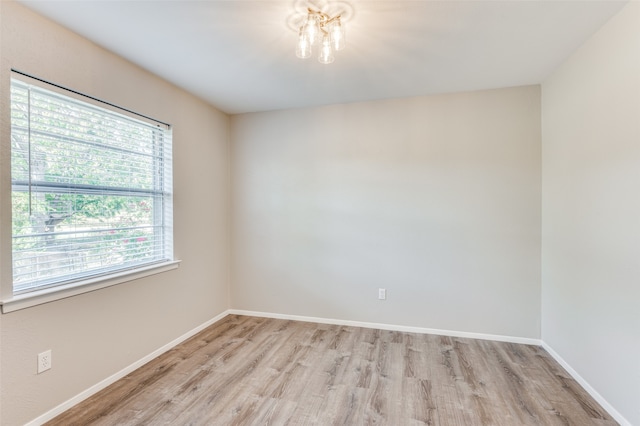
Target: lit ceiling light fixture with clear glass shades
320,28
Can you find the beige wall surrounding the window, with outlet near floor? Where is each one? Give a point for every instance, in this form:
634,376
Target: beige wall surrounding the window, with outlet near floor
97,334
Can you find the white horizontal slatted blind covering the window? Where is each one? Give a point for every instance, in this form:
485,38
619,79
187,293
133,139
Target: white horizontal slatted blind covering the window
91,190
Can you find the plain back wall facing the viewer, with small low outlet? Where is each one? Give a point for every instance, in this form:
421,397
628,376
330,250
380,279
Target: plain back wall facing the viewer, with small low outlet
436,199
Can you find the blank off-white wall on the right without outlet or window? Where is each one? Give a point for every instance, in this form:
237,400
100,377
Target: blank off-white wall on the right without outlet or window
591,212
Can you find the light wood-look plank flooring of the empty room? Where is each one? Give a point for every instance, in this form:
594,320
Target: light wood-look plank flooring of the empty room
257,371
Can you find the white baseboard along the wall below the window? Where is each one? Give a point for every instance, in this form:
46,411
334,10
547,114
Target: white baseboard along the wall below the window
120,374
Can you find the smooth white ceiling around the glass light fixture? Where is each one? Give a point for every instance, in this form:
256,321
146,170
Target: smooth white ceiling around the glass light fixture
239,55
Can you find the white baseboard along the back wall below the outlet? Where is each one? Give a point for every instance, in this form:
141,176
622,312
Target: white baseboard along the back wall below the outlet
408,329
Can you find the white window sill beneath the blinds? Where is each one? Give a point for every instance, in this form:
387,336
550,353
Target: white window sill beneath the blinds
35,298
